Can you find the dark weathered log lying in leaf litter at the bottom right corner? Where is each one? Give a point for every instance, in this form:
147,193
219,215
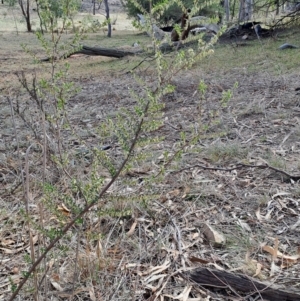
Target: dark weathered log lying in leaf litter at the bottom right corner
238,283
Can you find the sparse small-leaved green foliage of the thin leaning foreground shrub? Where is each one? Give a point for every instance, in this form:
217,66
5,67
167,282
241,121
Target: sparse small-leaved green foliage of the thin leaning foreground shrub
96,177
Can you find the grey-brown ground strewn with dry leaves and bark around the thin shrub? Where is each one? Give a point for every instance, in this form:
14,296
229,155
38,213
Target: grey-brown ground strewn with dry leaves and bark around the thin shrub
241,177
